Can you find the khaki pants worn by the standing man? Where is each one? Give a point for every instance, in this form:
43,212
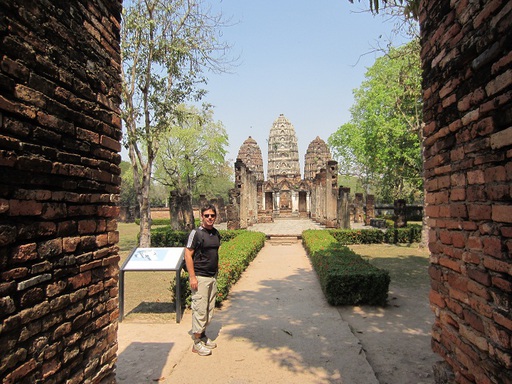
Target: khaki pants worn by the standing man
203,303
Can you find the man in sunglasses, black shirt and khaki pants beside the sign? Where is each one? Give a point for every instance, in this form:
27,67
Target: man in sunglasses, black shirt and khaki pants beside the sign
202,262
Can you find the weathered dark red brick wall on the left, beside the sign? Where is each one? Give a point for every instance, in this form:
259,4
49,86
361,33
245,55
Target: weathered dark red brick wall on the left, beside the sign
59,183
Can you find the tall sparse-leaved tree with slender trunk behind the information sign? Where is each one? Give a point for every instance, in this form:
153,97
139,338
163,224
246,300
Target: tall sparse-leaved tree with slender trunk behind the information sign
166,46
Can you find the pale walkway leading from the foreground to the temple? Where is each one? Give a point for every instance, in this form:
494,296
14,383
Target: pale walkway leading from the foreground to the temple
276,327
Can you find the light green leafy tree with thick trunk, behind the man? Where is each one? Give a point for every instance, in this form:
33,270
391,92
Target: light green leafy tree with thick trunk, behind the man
192,153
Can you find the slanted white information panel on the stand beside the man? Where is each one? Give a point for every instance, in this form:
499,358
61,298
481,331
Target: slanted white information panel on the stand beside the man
154,259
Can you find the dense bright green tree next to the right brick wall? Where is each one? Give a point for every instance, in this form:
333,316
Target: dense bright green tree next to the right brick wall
382,143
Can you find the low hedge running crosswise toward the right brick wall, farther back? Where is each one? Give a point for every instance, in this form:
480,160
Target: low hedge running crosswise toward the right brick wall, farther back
407,235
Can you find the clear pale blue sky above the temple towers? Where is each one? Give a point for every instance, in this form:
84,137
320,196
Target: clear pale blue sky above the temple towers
301,58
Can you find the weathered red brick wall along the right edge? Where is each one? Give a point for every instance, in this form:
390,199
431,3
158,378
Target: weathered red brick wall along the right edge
466,53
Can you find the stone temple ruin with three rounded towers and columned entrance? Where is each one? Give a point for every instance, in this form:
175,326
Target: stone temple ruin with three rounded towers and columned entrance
284,193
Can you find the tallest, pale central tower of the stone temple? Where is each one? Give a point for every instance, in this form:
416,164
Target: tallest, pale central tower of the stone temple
283,152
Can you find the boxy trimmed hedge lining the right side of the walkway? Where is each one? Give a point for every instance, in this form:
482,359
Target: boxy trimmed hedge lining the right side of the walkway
345,278
